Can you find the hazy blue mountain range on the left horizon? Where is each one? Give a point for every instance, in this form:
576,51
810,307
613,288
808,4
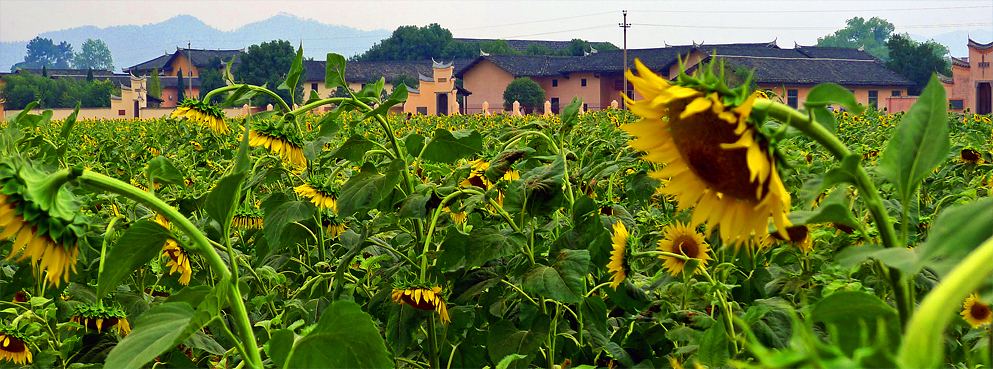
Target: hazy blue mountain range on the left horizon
131,45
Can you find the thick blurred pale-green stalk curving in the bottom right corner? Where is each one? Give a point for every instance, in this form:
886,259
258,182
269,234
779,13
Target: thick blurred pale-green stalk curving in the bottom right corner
923,346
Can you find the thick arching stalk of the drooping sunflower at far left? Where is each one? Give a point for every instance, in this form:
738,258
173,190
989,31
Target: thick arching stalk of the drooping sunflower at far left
203,247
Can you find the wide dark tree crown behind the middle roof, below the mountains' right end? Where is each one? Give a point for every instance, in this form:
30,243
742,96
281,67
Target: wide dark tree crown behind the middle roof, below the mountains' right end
410,43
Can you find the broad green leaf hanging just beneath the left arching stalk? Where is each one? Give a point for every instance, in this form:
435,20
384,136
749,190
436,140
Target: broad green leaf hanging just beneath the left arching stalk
141,243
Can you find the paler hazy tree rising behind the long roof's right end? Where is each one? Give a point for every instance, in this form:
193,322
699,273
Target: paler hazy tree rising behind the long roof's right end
870,35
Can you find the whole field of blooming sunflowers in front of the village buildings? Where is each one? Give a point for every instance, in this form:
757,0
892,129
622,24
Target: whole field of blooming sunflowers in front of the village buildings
705,226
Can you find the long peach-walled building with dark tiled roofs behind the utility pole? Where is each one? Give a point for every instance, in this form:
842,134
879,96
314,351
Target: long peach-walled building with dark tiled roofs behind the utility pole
598,78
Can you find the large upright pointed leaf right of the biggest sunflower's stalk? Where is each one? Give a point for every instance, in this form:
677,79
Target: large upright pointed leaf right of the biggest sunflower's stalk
919,143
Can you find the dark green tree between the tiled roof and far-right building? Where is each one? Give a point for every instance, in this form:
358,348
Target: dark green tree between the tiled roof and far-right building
917,61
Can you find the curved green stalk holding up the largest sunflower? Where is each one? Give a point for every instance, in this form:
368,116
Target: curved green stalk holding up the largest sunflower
887,233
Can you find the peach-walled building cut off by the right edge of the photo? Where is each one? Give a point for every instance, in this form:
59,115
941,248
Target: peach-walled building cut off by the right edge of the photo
969,86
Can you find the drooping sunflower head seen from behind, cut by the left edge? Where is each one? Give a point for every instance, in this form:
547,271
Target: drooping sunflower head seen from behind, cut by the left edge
42,217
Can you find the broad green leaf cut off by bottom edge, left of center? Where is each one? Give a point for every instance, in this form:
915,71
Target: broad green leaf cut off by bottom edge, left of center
345,337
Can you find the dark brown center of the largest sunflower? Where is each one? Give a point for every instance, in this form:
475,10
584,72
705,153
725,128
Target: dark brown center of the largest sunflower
698,139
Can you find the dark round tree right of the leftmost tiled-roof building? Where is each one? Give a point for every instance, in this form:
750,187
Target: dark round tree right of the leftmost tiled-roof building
268,63
